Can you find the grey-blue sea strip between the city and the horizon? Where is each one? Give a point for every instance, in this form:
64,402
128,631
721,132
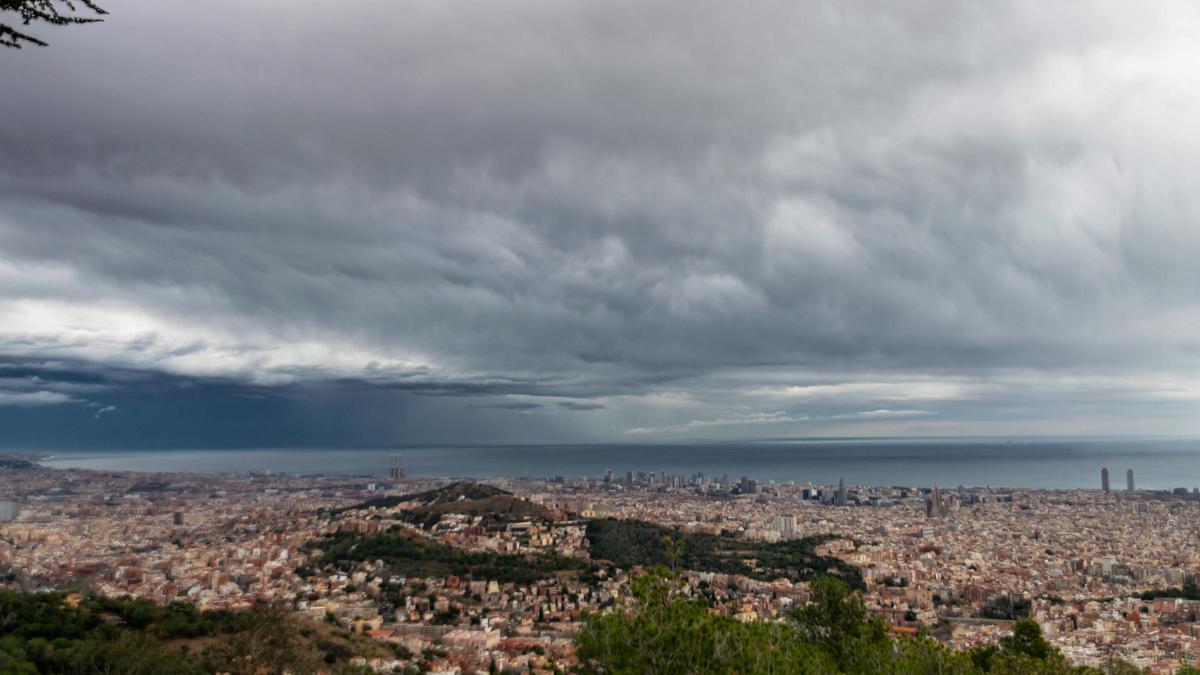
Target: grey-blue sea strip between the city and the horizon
1011,463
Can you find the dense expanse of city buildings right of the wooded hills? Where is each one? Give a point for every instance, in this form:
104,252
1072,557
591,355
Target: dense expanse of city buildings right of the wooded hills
964,563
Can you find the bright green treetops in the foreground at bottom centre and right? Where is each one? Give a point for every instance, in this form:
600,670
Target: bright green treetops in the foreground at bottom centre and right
665,631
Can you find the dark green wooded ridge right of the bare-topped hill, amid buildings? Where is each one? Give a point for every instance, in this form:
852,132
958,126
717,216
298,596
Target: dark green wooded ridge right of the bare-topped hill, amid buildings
634,542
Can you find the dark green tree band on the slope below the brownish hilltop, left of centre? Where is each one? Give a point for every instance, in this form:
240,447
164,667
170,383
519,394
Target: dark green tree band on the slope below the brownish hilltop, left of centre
410,555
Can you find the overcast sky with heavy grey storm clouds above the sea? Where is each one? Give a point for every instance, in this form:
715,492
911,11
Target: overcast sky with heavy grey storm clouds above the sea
238,223
